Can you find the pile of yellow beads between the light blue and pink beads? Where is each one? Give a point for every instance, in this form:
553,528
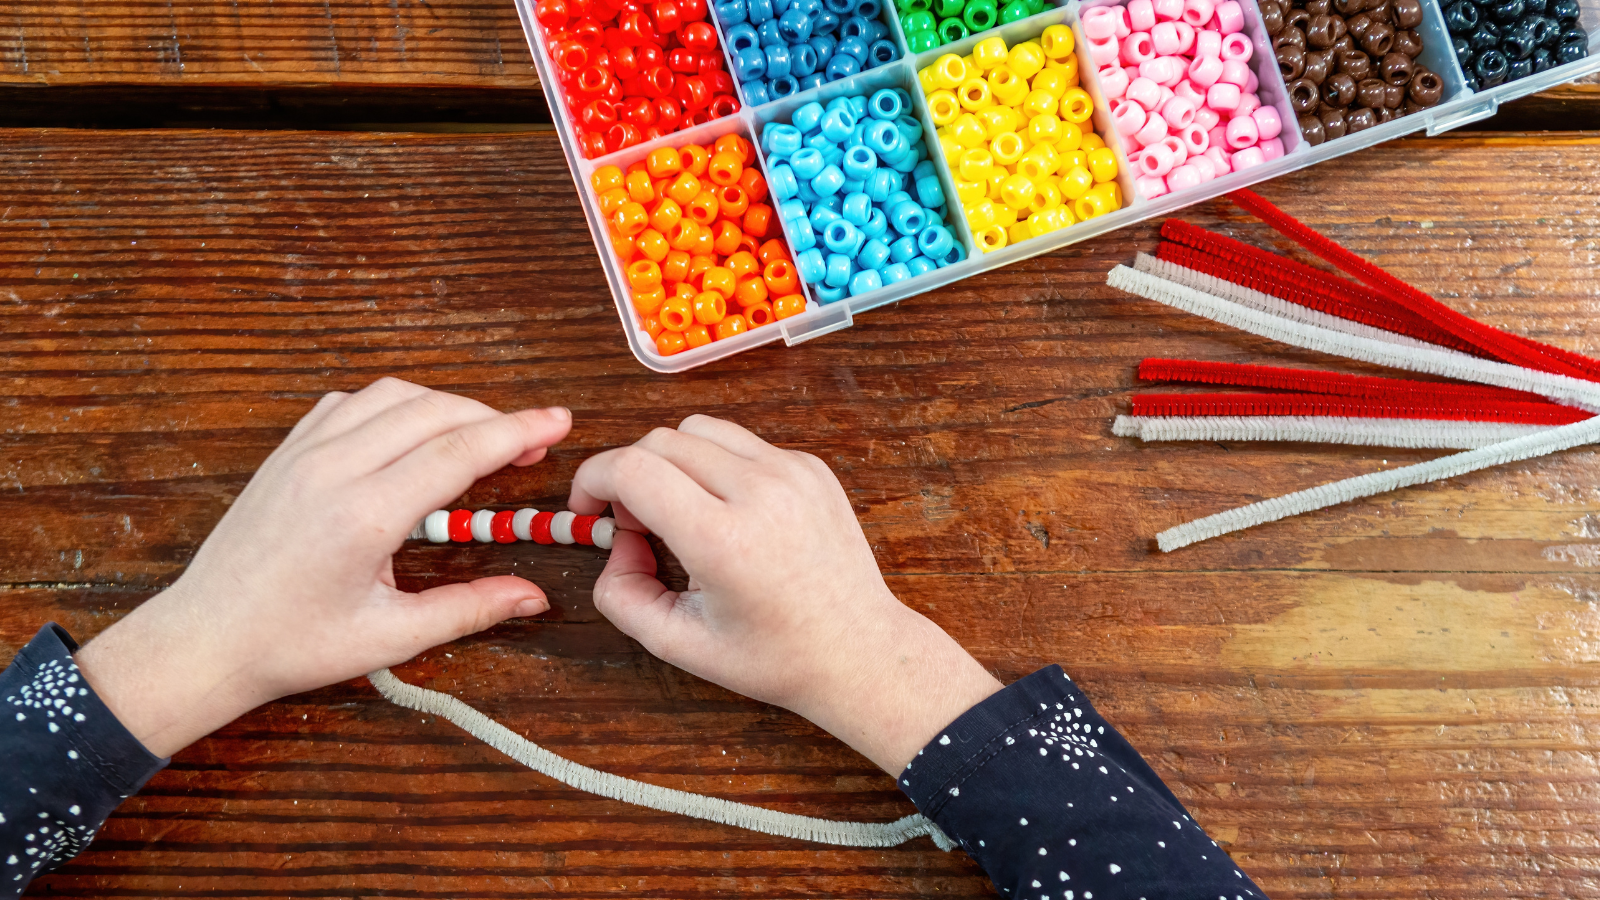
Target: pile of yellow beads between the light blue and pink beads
1012,126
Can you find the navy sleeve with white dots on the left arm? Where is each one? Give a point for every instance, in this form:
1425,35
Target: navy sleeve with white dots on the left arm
68,761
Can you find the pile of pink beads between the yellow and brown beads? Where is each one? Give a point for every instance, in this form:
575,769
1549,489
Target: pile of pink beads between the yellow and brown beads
1182,90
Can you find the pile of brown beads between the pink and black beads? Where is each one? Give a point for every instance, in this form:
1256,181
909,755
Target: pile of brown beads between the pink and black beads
1350,65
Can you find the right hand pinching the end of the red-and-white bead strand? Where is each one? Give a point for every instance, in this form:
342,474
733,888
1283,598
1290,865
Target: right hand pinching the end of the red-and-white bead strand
786,603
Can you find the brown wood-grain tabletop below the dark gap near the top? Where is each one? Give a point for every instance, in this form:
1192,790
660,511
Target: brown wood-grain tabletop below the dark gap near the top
1391,699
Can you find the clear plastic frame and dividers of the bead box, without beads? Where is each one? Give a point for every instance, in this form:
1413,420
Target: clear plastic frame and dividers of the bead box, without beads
1458,108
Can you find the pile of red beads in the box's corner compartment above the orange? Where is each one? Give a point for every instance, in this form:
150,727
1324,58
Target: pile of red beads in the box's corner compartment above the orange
633,71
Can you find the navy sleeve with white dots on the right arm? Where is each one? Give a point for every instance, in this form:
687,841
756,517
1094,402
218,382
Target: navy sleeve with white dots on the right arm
1057,806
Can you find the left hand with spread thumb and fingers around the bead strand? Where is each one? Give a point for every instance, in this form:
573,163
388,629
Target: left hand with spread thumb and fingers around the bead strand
295,590
